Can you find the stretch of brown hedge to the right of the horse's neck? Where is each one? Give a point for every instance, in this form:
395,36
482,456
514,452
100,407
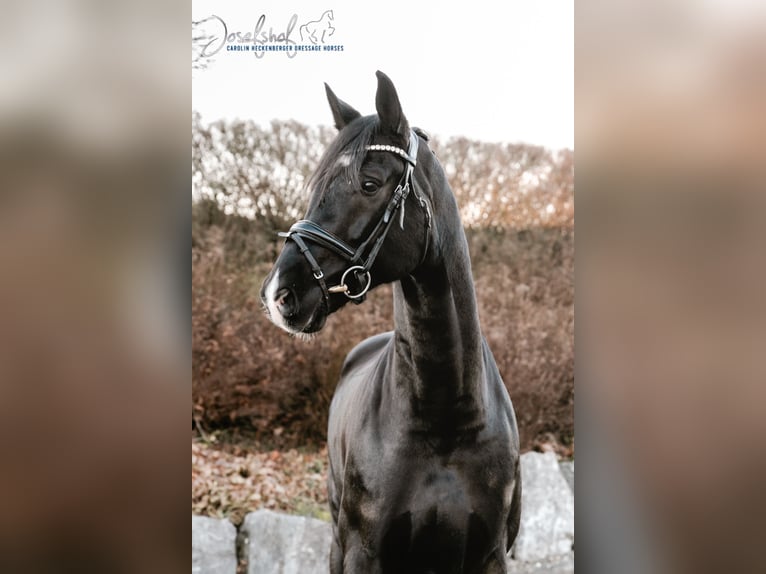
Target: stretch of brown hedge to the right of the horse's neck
525,291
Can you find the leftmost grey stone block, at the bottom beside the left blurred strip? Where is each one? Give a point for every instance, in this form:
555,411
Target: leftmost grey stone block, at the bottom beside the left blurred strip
214,549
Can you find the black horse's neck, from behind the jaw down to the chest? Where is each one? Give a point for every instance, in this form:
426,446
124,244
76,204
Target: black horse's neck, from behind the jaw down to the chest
438,344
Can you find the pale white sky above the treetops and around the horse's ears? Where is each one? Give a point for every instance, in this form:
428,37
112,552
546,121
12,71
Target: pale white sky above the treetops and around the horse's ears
492,71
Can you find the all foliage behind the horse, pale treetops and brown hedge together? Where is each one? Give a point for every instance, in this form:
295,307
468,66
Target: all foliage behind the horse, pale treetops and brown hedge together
249,374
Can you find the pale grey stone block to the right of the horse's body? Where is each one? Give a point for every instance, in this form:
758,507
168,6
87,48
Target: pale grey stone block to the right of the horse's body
547,510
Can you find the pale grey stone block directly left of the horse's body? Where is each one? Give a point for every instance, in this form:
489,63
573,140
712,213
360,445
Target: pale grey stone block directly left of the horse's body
282,544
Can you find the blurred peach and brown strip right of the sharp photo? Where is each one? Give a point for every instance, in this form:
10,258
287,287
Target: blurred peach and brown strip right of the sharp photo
671,125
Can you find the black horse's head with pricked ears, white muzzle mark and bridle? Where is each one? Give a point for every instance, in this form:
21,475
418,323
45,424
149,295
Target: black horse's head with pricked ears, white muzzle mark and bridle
355,235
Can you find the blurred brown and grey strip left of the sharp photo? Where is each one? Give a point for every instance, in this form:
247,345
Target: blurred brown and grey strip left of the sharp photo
94,357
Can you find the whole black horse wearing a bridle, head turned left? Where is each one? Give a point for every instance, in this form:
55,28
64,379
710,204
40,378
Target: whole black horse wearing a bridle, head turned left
424,450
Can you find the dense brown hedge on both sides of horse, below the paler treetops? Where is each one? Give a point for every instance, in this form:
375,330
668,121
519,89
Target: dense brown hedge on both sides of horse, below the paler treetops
248,372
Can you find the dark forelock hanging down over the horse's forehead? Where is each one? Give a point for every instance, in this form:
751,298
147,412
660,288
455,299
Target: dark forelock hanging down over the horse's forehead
350,142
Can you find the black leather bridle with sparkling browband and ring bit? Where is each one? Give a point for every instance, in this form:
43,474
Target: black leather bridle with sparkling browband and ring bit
304,230
